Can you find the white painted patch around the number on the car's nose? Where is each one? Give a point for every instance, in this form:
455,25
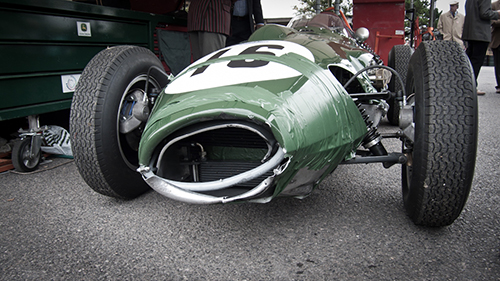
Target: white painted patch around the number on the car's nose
234,71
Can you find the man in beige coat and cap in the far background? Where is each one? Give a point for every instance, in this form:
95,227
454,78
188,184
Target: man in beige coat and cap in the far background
451,24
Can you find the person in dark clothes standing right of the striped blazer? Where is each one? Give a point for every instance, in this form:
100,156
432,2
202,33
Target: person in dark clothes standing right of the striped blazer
246,15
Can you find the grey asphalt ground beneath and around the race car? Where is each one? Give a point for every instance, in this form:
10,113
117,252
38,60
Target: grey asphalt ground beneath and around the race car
353,227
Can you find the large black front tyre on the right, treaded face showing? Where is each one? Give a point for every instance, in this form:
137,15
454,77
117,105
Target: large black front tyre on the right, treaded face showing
438,177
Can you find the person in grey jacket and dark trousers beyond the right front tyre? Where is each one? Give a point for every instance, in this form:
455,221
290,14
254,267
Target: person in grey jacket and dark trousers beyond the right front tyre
477,32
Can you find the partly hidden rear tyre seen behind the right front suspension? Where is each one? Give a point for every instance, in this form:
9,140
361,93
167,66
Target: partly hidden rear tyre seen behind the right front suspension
399,58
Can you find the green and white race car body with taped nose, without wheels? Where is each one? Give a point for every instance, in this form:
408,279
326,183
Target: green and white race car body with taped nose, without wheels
253,121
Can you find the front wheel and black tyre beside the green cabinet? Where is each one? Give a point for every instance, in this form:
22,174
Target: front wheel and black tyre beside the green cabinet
106,153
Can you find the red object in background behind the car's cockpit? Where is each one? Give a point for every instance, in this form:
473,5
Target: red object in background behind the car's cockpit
384,19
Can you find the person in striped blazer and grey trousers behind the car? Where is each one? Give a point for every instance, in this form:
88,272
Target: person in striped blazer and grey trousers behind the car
209,23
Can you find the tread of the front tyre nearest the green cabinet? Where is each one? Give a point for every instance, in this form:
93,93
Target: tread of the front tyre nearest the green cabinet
85,120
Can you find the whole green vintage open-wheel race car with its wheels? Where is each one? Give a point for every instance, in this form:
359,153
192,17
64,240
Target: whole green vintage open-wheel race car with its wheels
276,115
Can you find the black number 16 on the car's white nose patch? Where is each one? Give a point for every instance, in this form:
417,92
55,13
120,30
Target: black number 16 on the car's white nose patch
243,63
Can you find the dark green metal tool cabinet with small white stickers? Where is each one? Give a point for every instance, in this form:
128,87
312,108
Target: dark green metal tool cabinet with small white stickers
39,43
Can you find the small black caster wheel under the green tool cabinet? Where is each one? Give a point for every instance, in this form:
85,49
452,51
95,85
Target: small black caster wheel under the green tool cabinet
24,157
